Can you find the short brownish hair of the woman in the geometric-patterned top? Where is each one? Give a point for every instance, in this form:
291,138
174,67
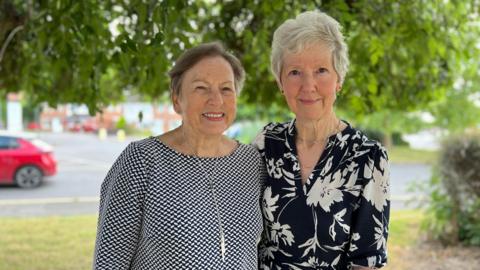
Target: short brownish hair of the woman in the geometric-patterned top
194,55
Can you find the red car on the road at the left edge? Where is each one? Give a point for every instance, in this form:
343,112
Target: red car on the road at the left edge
25,160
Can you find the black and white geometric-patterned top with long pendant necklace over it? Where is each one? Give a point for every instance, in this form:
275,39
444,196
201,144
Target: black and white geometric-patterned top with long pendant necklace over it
157,212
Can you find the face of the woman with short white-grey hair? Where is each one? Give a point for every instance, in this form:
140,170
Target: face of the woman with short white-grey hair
309,82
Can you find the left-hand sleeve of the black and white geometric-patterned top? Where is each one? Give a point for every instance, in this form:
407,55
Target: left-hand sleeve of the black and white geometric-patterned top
121,211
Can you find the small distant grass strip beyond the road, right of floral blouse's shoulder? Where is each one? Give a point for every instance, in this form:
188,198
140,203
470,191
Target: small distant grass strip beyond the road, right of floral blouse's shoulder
406,155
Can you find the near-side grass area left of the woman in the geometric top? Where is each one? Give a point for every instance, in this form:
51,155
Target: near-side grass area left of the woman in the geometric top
47,243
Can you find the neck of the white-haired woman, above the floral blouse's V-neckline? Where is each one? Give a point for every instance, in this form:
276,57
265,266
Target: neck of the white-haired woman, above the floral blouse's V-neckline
317,130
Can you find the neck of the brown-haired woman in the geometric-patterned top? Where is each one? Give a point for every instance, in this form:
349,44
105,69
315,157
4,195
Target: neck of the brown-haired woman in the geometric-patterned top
200,145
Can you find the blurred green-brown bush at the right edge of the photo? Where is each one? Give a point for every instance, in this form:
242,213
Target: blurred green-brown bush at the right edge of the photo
453,208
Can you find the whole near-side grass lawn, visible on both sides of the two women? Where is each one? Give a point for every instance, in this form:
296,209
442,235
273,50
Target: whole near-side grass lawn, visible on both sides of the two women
54,243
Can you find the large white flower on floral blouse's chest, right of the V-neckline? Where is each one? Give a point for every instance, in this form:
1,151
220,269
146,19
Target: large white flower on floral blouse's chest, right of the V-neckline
325,192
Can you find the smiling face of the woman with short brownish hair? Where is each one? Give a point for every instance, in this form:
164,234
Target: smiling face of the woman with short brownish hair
207,100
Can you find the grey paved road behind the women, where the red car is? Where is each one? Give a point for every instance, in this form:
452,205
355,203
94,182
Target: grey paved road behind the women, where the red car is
83,161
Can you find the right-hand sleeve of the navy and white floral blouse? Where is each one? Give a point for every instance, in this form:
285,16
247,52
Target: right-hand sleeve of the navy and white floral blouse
370,218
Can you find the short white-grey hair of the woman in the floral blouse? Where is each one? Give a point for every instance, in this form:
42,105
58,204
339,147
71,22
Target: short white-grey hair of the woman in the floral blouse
308,28
